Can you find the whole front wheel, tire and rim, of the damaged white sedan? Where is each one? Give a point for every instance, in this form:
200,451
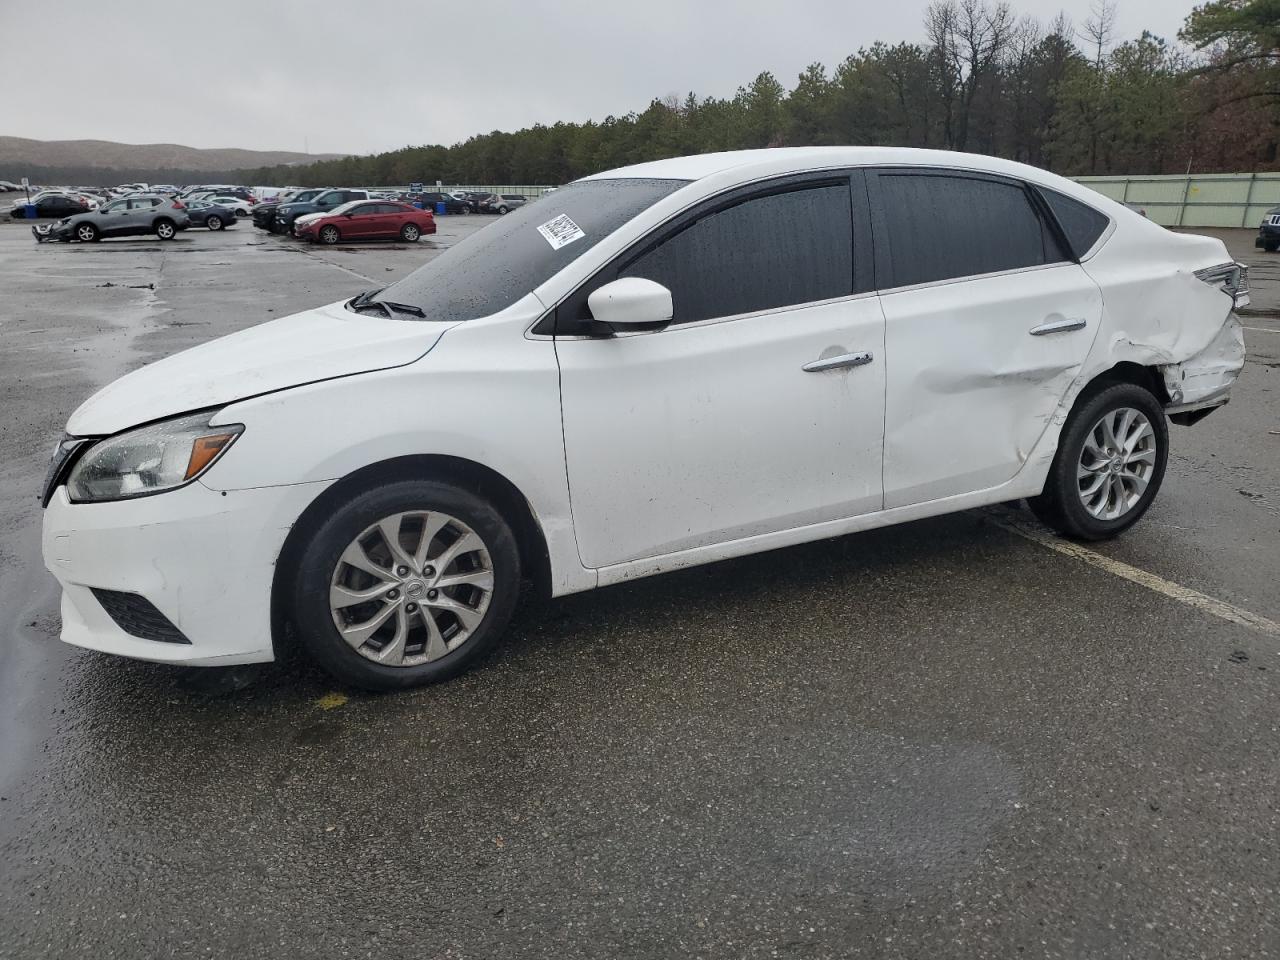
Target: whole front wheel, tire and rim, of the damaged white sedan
406,584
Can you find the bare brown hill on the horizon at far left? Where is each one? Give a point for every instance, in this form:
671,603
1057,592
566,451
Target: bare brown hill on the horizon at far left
106,154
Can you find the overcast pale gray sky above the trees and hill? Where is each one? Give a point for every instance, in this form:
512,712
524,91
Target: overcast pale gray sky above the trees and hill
380,75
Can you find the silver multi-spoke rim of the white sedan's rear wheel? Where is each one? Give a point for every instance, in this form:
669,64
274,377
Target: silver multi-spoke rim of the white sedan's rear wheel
1117,464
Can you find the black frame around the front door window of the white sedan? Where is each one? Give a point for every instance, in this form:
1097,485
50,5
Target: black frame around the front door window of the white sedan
554,326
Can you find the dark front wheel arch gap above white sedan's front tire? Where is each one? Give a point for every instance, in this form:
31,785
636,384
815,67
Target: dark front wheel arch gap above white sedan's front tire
468,474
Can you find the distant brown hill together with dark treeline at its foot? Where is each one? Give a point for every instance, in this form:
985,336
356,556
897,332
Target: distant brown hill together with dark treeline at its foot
103,163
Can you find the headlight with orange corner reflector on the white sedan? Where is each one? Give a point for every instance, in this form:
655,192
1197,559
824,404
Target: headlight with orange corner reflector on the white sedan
150,460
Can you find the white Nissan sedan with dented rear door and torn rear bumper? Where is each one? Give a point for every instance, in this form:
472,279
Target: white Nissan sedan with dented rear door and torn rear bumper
648,369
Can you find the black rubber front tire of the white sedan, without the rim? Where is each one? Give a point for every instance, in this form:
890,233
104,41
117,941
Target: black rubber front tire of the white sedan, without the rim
319,556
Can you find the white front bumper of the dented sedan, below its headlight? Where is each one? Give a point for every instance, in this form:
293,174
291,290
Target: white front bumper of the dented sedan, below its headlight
203,559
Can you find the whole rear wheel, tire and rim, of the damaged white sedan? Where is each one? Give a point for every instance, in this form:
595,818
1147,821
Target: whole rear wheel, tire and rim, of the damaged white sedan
1109,465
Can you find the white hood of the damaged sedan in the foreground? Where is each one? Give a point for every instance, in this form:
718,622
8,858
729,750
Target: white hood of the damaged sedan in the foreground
317,345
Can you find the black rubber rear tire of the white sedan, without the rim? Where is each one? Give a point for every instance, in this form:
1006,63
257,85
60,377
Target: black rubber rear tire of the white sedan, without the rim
1060,505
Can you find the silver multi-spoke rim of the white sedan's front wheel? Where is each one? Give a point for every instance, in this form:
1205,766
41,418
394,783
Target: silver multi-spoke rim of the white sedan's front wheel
412,588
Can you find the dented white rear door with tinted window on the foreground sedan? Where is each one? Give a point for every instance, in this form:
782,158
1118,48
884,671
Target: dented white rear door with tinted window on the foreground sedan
988,322
